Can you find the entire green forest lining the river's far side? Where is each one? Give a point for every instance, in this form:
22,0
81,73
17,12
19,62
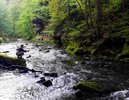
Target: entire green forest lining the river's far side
82,27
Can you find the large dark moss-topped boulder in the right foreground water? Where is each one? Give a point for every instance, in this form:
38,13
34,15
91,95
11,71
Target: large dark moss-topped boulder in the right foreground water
89,89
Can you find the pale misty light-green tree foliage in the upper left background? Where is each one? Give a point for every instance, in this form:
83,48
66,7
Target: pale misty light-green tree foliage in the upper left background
17,16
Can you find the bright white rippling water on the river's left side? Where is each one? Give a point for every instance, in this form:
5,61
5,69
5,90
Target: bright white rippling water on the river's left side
14,86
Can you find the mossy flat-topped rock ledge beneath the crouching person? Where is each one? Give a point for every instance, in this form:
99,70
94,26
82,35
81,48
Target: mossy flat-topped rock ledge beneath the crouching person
8,61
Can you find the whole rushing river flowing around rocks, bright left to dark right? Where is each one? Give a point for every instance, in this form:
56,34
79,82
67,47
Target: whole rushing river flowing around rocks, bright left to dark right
24,86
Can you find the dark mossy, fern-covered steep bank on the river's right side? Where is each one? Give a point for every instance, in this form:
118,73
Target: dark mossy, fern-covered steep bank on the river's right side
113,43
